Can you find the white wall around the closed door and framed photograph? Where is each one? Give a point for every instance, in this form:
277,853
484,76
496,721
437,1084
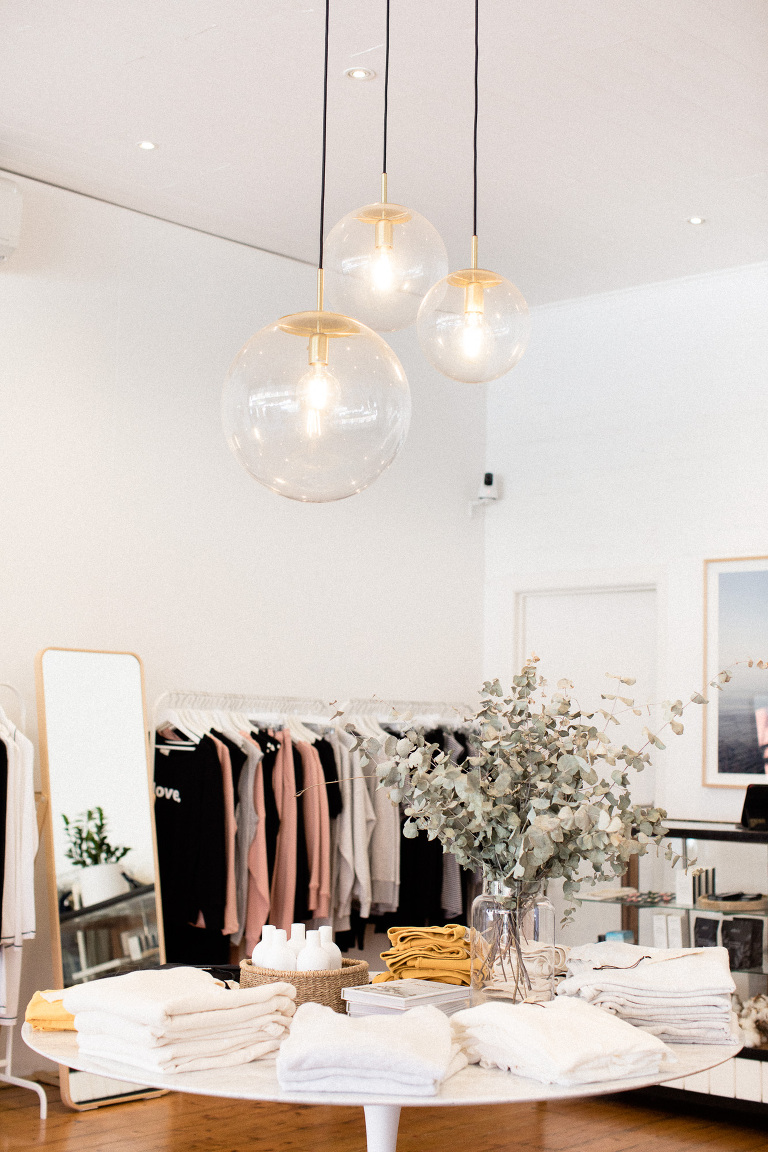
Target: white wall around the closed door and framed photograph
632,441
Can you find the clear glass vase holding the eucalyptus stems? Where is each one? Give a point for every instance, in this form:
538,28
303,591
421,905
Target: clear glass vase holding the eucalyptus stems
513,944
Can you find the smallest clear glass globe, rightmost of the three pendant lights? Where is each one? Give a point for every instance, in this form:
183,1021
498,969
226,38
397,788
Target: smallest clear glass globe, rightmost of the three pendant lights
474,327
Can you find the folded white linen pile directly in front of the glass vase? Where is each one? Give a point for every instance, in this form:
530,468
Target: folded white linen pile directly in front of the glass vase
564,1042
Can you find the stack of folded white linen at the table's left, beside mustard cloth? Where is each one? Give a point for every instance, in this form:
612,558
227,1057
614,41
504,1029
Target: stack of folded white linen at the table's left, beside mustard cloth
179,1020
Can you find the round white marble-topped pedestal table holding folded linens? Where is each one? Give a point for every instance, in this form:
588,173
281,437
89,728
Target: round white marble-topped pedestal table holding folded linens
258,1081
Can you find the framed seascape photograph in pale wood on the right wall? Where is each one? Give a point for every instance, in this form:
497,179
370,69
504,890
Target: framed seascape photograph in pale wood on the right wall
736,630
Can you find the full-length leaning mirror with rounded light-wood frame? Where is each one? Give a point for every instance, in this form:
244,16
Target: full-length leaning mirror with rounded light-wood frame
101,833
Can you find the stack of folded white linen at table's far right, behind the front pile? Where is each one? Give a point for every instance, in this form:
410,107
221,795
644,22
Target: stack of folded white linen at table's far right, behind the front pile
682,996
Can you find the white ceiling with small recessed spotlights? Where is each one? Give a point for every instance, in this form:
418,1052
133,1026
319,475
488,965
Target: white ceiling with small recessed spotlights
604,124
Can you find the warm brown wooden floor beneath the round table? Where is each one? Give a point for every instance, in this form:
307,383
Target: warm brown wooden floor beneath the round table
191,1124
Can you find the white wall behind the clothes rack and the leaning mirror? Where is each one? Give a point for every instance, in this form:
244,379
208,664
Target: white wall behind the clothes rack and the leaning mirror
127,524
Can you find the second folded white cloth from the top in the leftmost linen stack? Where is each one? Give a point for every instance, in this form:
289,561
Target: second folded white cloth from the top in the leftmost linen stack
191,1027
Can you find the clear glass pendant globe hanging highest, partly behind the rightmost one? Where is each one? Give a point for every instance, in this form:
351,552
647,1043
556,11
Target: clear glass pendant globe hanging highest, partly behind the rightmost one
379,264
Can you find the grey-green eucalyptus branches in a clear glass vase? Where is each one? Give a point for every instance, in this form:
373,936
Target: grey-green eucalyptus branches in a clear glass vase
528,807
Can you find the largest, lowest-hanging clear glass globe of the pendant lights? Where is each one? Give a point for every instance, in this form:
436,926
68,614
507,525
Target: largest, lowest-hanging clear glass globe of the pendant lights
316,407
